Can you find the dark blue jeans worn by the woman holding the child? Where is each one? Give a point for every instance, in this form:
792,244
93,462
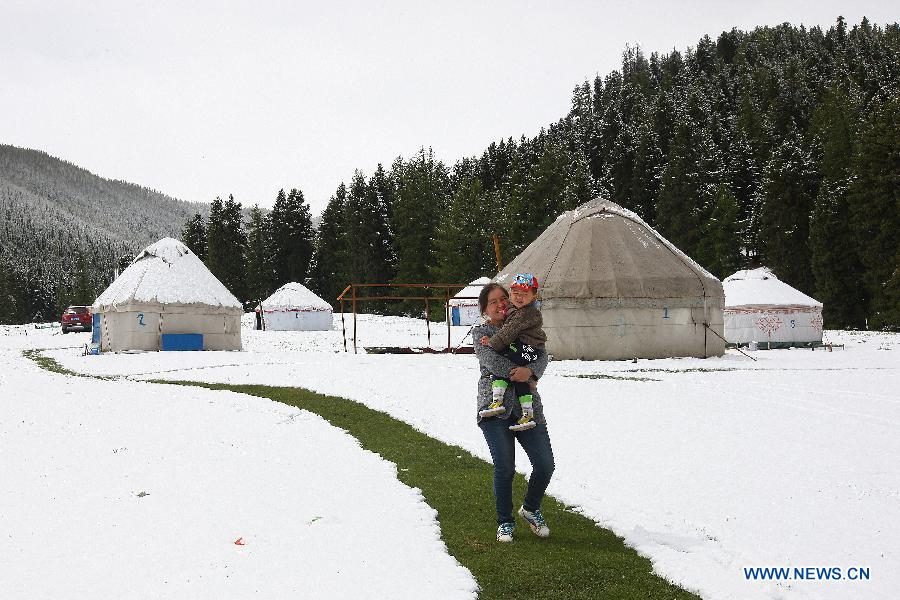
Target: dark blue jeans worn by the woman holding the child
501,442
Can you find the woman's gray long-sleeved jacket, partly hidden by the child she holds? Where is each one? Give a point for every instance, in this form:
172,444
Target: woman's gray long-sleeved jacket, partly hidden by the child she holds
494,365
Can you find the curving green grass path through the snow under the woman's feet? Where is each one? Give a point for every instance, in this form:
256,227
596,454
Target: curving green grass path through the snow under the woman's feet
579,560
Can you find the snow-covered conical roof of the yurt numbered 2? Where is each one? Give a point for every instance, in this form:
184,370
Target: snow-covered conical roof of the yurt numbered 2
166,272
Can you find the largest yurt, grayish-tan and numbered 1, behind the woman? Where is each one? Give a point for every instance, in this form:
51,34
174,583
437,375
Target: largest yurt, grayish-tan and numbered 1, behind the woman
611,287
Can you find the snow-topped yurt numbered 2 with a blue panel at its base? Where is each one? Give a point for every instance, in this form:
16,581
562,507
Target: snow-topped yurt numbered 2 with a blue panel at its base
168,300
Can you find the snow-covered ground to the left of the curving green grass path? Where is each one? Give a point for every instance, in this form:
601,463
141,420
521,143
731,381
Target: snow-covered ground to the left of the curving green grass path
123,489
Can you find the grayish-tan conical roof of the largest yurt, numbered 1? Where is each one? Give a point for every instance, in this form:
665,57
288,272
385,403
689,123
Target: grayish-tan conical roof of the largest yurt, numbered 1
601,250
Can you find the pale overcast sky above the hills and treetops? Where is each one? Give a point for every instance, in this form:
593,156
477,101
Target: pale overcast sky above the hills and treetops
198,100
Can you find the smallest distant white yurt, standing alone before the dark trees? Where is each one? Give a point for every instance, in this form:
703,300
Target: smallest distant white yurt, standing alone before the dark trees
293,307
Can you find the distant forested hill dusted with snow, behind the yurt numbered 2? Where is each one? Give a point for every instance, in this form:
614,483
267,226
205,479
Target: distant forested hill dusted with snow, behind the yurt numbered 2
64,229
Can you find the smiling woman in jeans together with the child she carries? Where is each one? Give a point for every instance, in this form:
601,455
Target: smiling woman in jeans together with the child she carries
510,351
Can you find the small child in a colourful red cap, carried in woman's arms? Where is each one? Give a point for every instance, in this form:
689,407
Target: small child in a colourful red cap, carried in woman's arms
521,340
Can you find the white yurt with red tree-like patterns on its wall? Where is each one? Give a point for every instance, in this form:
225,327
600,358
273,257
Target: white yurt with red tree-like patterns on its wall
761,308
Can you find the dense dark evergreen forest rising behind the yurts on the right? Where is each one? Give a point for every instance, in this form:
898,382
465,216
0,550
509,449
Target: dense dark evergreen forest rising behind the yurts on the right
776,147
